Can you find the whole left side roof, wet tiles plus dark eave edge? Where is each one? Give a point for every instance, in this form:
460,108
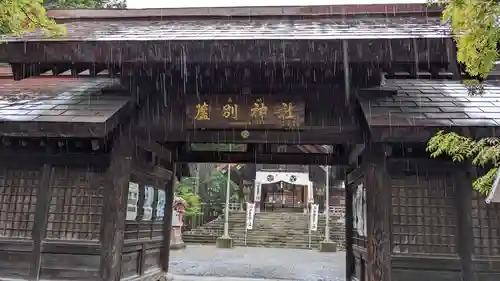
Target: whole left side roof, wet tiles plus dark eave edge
59,106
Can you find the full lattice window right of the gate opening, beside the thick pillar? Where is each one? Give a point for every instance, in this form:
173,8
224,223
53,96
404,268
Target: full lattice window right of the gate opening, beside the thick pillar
423,216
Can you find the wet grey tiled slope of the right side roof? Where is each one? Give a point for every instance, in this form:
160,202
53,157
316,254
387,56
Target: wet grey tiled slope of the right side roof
435,104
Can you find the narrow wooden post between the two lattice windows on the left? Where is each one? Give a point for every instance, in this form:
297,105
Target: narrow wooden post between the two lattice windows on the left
43,195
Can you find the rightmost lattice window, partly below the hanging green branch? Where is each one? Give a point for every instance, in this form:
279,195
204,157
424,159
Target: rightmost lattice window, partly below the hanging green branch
485,227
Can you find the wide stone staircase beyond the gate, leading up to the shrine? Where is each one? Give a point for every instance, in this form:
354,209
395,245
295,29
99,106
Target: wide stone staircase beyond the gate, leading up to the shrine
276,230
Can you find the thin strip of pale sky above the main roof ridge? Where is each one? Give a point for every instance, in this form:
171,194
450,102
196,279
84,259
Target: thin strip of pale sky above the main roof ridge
144,4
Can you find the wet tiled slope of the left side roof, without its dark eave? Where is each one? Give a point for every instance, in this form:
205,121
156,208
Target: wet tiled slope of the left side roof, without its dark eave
58,99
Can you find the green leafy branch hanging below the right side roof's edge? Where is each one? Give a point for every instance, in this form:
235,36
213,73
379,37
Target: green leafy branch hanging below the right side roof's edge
483,153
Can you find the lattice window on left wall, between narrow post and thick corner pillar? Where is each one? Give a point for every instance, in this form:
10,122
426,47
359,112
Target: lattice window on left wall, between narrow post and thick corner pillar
76,203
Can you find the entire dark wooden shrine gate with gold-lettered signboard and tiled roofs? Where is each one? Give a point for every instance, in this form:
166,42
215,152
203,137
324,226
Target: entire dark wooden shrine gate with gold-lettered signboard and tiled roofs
87,157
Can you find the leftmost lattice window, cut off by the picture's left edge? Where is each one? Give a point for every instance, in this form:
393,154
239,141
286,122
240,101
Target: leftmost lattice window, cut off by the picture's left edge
18,202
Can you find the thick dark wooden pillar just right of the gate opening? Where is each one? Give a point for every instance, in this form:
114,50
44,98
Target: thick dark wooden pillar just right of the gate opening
378,208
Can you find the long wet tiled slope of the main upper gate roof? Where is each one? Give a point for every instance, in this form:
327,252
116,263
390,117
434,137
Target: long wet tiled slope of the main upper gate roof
313,29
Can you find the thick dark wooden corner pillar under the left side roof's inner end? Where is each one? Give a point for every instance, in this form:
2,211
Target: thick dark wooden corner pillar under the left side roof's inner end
114,210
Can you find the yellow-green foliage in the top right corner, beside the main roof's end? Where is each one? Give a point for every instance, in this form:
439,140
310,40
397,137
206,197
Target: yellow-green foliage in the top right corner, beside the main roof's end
475,24
